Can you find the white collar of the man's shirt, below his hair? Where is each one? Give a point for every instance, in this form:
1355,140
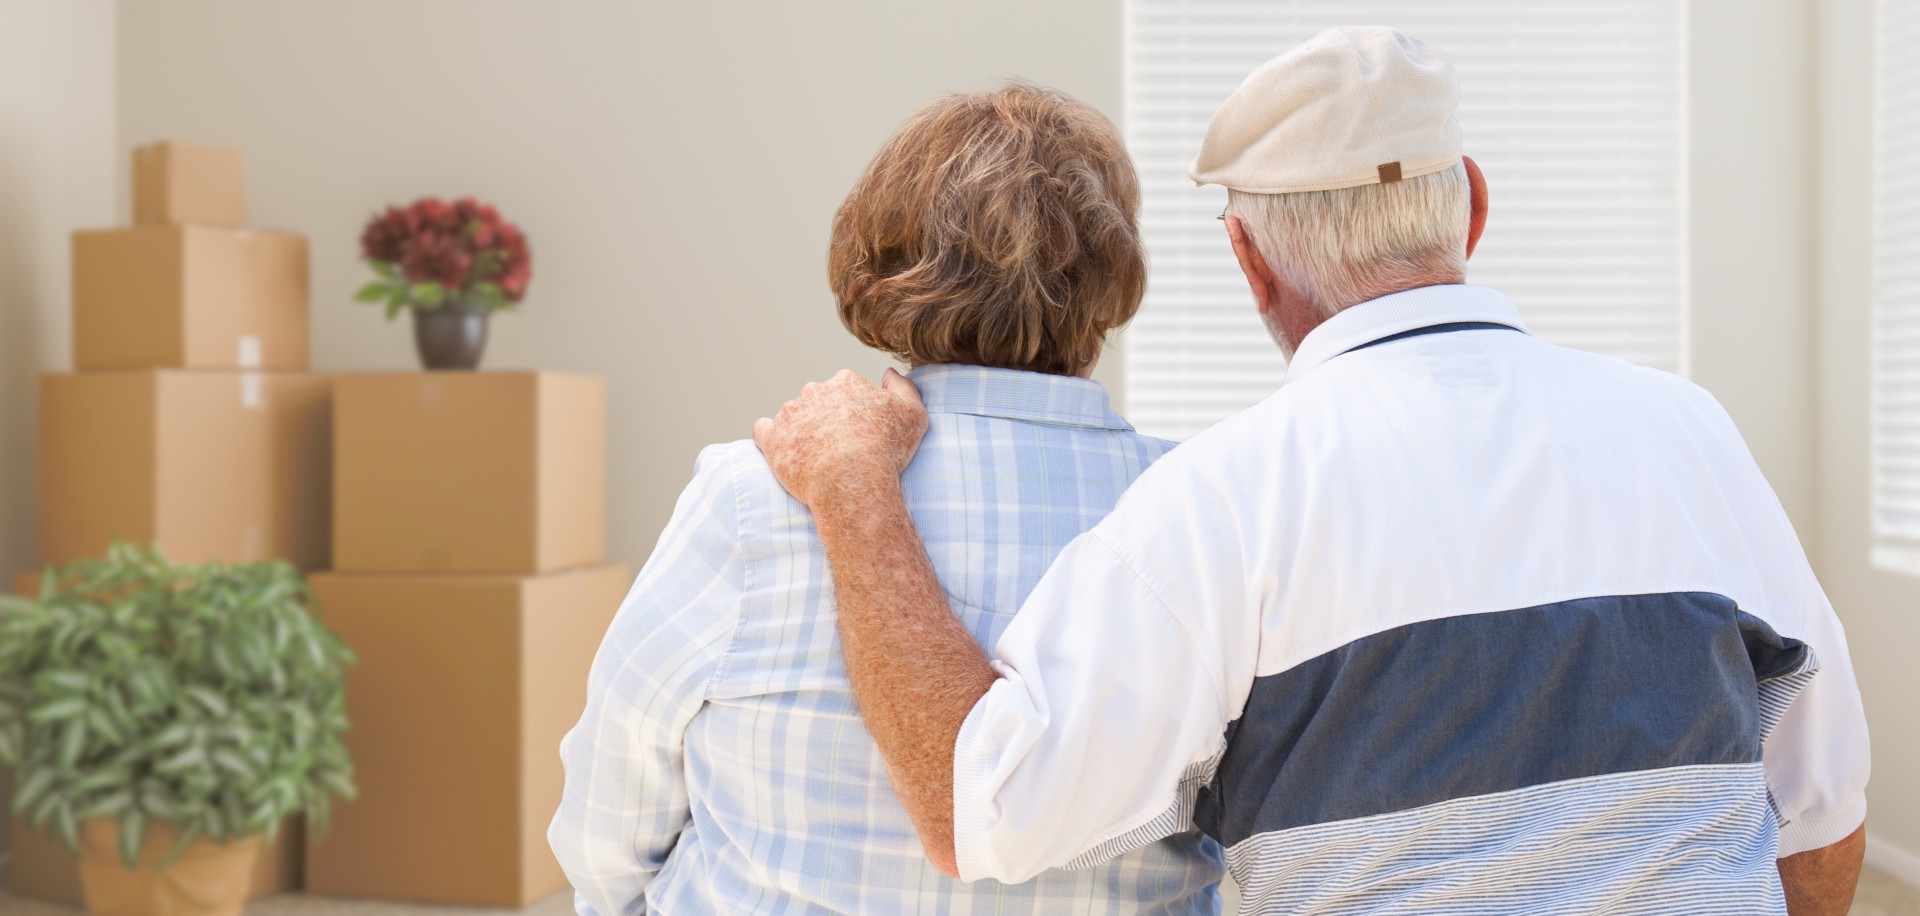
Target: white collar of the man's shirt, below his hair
1401,312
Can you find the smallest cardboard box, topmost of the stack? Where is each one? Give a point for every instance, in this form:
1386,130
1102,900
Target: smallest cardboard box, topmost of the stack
189,185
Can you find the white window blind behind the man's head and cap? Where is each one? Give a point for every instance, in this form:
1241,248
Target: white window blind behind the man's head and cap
1573,108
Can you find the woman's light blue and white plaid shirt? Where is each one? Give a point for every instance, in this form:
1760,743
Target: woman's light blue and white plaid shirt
721,763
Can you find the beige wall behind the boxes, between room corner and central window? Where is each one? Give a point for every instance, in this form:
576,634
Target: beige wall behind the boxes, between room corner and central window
677,168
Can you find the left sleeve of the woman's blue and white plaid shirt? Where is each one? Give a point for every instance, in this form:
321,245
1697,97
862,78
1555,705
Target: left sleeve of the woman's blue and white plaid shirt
625,802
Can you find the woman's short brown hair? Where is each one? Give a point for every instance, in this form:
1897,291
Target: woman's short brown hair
994,229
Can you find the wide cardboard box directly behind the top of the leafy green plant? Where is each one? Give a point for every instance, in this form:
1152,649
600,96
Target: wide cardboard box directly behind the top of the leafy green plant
208,466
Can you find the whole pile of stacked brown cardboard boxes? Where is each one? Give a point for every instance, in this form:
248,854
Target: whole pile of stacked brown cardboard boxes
464,516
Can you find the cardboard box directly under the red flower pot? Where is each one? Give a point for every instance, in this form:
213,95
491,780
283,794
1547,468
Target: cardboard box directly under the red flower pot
469,471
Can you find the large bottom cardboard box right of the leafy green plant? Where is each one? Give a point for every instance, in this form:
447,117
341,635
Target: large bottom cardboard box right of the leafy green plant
464,690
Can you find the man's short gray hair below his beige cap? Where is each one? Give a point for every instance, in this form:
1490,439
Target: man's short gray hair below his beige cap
1345,247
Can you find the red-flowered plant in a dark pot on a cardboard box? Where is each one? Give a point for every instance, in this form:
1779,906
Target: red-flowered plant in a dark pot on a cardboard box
452,266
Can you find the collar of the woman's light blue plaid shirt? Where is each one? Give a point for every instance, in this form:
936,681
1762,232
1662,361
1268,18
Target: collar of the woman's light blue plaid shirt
1019,397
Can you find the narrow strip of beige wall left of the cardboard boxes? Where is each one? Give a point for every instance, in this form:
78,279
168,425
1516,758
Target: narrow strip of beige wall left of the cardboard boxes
57,153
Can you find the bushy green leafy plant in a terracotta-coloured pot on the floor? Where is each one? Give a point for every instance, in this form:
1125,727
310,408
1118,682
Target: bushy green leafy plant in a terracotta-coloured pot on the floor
162,721
